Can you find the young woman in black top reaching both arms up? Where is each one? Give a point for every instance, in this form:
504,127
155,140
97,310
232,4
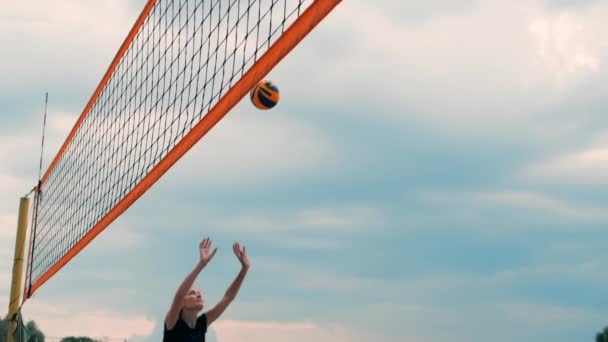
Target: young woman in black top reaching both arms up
182,322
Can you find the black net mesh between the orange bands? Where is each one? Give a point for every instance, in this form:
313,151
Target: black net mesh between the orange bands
187,54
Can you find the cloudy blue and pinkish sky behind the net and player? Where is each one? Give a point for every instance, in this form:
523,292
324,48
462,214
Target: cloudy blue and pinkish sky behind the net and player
434,171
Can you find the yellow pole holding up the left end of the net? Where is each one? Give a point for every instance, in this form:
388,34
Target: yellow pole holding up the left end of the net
17,283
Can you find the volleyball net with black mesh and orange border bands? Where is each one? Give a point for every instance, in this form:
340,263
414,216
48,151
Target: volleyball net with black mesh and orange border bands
180,70
